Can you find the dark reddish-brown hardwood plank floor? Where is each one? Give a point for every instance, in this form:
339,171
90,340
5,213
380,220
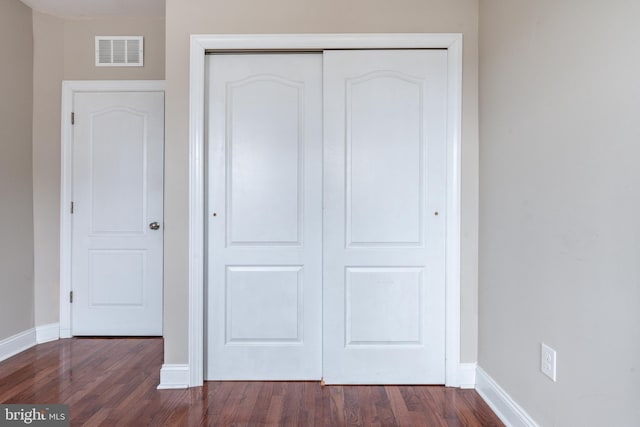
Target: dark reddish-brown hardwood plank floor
112,382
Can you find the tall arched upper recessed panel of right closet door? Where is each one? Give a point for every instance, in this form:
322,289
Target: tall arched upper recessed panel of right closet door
384,132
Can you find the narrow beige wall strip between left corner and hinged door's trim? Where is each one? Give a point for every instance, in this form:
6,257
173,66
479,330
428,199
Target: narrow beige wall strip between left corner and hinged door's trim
47,78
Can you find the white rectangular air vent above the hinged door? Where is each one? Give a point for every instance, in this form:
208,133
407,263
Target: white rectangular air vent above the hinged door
119,51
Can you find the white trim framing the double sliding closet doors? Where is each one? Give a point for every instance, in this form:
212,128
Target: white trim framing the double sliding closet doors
238,42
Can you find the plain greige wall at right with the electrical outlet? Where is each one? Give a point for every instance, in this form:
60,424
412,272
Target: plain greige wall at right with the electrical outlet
560,206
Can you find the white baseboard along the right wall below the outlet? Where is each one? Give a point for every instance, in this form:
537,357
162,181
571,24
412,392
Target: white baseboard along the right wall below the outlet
502,404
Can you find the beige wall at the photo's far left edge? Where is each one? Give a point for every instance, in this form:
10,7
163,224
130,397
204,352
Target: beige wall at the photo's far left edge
16,192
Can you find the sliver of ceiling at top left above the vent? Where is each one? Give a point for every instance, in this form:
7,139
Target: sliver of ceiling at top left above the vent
98,8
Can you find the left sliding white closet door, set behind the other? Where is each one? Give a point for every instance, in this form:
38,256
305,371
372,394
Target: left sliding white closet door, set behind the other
264,217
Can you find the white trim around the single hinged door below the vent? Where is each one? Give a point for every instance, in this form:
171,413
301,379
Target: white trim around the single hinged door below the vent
69,88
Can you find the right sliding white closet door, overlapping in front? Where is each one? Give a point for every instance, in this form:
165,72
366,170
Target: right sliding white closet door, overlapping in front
384,218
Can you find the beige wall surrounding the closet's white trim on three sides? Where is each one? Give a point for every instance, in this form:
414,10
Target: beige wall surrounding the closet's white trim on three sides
185,17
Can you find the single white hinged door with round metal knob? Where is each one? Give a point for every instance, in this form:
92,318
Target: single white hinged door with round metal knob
118,144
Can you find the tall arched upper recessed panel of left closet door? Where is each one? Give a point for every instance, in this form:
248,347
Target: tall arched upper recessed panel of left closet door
265,154
